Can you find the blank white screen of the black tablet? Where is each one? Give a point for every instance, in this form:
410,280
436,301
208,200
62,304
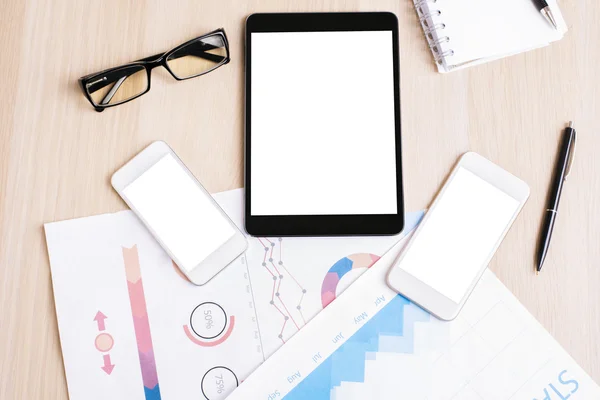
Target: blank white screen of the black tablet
322,123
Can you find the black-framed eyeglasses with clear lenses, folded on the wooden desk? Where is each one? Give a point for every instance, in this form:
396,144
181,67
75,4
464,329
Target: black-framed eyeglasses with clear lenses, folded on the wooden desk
119,85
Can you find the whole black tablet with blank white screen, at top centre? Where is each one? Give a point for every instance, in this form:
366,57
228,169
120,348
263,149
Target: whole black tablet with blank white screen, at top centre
323,154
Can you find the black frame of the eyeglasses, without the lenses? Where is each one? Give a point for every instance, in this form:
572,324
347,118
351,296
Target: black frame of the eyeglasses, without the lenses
149,63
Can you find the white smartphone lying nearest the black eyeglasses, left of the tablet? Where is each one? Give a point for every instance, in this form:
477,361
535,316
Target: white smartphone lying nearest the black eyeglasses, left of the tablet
181,215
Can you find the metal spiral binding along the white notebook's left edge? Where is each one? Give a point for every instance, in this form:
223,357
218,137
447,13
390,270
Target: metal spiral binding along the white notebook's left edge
426,12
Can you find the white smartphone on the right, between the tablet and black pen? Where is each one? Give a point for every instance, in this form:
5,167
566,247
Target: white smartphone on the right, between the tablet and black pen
458,236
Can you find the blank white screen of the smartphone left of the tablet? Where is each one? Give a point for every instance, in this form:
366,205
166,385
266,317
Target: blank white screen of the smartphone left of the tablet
179,212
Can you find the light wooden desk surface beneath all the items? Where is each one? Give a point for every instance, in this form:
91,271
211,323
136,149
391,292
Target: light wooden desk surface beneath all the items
57,153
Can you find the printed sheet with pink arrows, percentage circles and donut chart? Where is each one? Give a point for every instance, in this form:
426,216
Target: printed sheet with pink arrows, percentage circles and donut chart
133,328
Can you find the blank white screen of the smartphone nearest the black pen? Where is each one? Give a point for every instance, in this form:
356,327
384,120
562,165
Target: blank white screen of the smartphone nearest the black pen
459,235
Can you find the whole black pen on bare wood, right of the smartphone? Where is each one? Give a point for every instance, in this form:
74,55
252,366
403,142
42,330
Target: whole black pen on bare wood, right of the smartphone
561,172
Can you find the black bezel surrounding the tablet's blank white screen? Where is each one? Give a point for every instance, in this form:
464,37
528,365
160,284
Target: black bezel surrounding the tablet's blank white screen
323,225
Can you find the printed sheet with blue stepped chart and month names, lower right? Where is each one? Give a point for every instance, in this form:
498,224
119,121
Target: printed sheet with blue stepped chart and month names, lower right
374,344
